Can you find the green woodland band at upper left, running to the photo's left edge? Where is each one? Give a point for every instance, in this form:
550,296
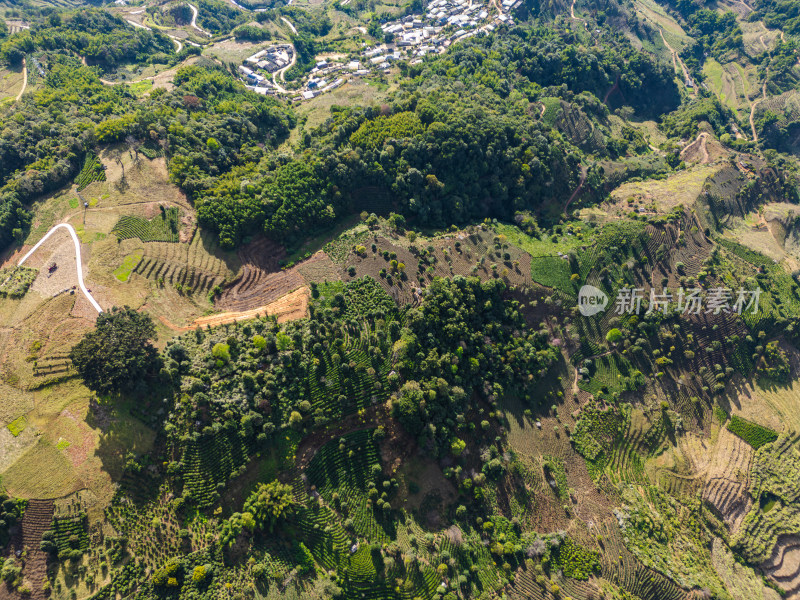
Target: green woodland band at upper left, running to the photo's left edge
207,125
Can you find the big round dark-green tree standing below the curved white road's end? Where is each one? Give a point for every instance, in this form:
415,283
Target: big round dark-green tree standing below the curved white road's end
117,355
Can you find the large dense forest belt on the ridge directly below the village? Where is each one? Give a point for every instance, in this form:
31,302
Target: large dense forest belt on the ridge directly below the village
443,154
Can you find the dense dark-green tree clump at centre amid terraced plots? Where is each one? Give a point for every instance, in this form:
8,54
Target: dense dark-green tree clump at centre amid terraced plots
465,337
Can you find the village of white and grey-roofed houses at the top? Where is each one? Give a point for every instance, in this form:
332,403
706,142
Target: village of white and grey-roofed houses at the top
411,38
